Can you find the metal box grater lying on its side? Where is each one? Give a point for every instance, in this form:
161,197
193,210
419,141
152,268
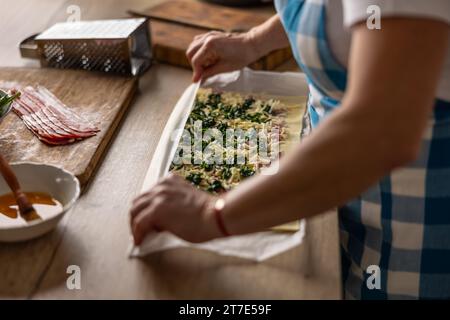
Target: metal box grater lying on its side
116,46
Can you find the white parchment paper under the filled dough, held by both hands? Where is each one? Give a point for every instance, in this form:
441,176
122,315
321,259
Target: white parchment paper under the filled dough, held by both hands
258,246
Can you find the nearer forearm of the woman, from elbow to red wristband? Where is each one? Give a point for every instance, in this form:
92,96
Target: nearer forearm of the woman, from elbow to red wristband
326,170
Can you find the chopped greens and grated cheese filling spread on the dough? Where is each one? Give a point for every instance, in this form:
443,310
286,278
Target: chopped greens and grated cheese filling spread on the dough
228,110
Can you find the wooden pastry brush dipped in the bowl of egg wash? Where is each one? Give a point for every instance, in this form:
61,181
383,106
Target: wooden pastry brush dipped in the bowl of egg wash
26,209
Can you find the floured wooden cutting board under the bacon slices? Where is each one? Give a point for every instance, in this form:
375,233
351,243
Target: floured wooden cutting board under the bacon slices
100,98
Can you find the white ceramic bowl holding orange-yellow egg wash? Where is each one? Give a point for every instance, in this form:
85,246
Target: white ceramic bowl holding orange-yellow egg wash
35,177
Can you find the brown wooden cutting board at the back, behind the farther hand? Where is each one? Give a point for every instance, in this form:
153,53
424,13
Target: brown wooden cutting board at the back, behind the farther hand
171,39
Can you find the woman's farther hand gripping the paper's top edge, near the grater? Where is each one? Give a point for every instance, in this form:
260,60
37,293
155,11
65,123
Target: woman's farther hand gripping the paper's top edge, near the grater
216,52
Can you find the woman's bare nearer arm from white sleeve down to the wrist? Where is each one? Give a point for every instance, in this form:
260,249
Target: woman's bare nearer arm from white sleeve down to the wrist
377,128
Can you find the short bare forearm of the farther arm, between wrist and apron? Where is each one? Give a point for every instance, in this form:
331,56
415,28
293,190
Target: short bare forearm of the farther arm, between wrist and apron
268,36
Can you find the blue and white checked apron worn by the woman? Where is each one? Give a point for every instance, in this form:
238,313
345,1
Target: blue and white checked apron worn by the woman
402,224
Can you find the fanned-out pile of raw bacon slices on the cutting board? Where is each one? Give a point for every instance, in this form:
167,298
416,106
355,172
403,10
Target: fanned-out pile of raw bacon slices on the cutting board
48,118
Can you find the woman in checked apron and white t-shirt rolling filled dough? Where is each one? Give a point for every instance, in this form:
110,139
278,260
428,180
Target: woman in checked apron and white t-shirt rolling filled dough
380,108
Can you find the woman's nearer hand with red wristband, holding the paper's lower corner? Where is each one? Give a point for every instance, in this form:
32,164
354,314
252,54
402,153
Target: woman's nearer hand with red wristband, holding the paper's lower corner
176,206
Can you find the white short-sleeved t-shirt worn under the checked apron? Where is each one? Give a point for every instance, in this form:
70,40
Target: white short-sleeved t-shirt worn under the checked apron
342,14
